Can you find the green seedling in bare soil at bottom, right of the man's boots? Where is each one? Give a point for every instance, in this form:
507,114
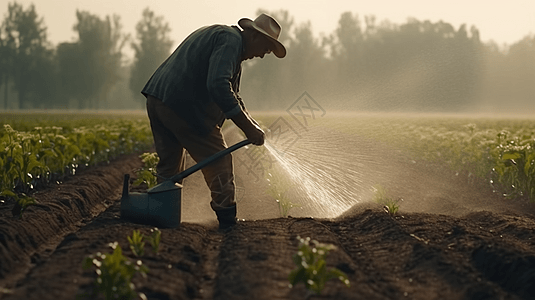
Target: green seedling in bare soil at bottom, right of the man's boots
311,268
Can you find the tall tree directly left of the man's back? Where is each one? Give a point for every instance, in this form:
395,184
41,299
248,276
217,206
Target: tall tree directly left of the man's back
152,48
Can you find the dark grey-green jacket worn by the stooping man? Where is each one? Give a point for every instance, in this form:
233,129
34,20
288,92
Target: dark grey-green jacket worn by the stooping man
200,80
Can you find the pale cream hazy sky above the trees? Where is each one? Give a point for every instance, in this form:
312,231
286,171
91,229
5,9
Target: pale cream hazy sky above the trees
498,20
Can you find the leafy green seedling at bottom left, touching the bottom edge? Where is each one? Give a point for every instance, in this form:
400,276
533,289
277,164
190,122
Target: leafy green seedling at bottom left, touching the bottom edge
115,273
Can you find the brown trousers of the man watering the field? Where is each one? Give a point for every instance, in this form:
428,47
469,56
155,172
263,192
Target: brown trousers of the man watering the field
173,137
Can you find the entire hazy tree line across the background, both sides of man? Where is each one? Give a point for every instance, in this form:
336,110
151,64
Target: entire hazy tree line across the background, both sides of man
363,65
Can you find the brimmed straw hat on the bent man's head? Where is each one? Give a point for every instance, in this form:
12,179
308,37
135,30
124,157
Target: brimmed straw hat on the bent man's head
270,28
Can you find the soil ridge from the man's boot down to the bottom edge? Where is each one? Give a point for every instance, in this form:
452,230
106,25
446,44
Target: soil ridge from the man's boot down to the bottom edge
255,254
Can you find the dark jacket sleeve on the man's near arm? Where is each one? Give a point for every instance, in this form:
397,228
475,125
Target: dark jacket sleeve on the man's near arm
222,67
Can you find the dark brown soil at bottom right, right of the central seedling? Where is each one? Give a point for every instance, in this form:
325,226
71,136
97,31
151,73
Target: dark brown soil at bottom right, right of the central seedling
401,257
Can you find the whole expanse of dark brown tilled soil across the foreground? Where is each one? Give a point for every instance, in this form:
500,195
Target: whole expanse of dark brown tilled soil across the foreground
410,255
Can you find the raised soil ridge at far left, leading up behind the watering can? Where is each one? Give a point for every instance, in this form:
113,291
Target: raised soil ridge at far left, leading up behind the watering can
61,210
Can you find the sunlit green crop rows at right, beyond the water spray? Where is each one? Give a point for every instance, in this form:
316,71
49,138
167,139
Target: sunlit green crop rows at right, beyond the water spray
498,150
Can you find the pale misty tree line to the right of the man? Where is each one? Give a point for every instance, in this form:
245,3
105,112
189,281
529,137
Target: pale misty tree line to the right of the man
417,66
